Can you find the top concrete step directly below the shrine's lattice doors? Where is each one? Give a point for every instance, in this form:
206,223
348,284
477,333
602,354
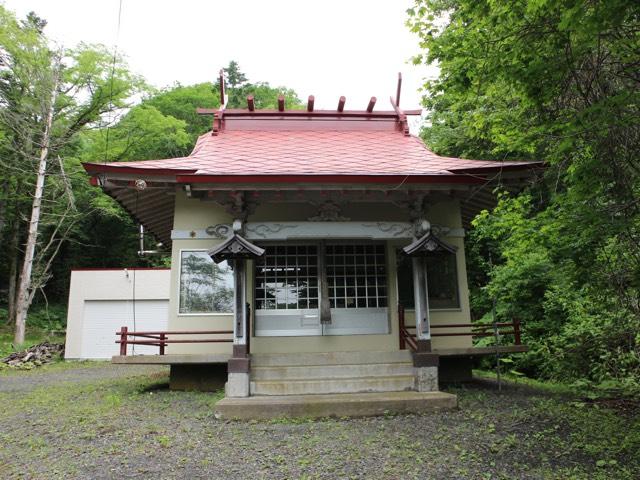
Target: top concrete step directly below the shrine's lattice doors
328,358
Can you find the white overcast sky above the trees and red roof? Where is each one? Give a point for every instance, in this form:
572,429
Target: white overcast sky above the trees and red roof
326,48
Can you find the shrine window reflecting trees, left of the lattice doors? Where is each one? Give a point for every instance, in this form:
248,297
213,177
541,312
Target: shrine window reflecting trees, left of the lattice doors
205,287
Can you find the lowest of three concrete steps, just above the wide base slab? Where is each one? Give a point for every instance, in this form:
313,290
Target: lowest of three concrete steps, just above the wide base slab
393,383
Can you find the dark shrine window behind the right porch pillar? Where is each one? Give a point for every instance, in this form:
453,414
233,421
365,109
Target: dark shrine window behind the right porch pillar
442,281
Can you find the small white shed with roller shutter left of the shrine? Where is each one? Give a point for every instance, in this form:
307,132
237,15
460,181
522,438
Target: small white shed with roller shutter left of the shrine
103,300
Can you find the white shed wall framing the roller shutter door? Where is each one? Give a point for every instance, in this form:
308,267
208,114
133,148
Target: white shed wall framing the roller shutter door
112,284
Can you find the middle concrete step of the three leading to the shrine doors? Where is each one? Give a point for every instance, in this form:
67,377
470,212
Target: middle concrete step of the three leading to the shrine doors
311,372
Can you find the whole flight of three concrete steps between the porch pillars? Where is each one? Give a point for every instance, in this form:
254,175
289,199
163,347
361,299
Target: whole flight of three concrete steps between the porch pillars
331,373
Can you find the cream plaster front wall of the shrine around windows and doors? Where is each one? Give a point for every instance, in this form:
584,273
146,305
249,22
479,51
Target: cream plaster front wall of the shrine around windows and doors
193,214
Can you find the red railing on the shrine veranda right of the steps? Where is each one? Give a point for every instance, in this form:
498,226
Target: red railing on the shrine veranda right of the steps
477,330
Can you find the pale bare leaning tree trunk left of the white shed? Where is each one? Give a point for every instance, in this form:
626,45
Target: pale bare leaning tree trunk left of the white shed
24,290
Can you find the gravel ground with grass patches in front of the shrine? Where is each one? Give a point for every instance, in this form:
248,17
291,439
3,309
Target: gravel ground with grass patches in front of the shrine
122,422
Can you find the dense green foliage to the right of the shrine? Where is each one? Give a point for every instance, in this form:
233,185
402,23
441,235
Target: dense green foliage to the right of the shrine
557,82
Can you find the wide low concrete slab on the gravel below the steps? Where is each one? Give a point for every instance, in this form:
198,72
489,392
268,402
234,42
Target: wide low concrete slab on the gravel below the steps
333,405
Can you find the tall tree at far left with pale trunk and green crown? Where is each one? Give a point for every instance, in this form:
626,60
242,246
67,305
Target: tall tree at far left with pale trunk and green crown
46,99
